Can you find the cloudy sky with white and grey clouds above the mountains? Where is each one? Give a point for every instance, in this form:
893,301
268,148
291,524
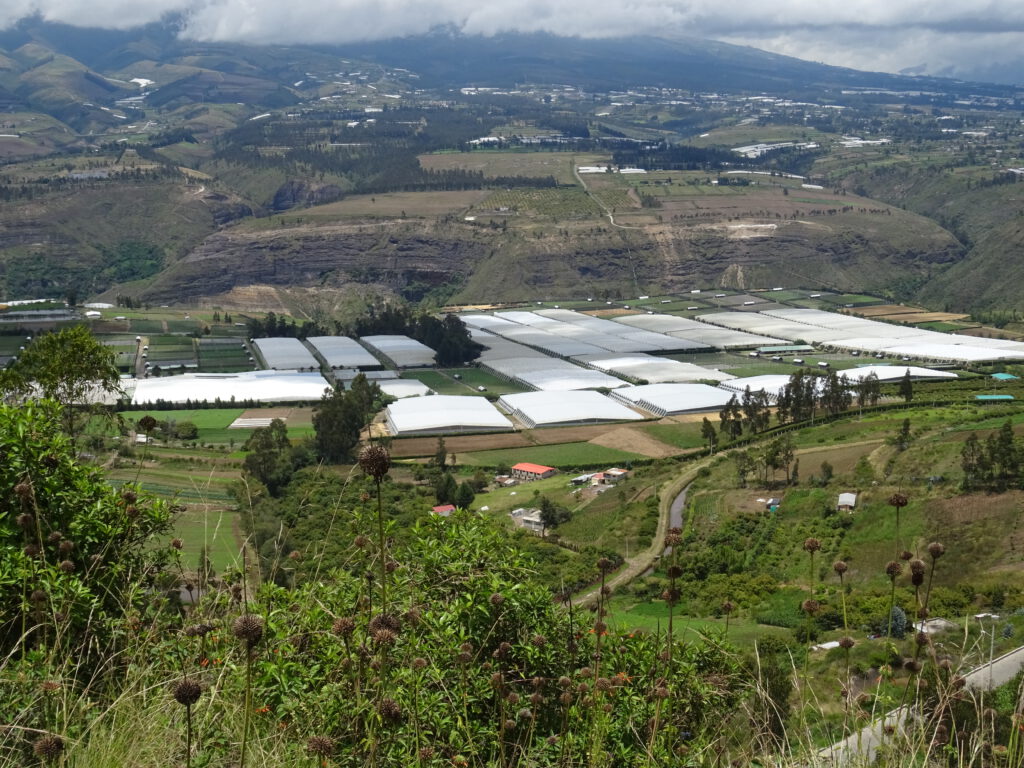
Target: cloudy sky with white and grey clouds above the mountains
965,39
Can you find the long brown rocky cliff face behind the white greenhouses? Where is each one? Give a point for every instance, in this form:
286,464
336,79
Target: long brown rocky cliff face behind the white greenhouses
501,266
